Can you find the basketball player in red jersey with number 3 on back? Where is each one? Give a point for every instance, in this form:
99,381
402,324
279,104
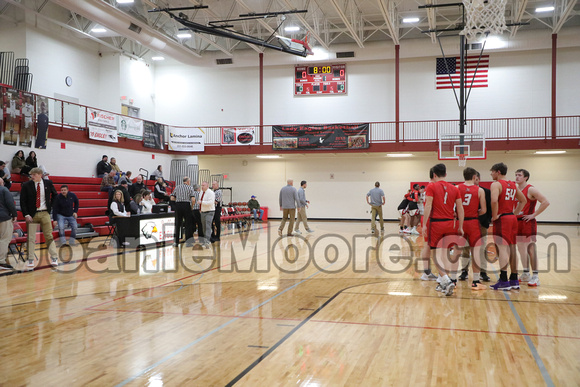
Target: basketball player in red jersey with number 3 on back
473,200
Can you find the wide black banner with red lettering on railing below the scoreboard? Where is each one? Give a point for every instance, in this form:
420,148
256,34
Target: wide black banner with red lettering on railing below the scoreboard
315,137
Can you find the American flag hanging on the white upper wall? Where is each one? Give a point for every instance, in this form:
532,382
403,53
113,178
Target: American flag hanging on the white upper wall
446,66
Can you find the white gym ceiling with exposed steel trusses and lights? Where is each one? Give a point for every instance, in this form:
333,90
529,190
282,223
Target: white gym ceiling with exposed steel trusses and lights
327,22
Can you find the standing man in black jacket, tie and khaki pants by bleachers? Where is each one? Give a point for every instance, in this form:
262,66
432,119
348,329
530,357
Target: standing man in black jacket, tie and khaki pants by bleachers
36,199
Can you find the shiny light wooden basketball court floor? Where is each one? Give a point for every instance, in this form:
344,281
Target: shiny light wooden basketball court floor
182,317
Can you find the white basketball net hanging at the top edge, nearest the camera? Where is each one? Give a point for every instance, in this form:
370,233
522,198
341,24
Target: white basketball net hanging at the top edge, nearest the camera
483,17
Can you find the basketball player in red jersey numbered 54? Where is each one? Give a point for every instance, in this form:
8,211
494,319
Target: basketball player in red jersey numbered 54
505,195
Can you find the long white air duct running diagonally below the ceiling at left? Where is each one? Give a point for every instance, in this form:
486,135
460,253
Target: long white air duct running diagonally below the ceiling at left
115,20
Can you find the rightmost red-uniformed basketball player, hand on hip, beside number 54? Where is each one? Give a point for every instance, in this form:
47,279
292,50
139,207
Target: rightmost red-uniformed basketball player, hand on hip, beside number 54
527,227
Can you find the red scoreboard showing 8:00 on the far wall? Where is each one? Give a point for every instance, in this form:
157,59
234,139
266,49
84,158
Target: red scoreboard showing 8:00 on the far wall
320,80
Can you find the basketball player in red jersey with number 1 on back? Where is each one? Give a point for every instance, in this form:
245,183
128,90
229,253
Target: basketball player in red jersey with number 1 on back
441,198
